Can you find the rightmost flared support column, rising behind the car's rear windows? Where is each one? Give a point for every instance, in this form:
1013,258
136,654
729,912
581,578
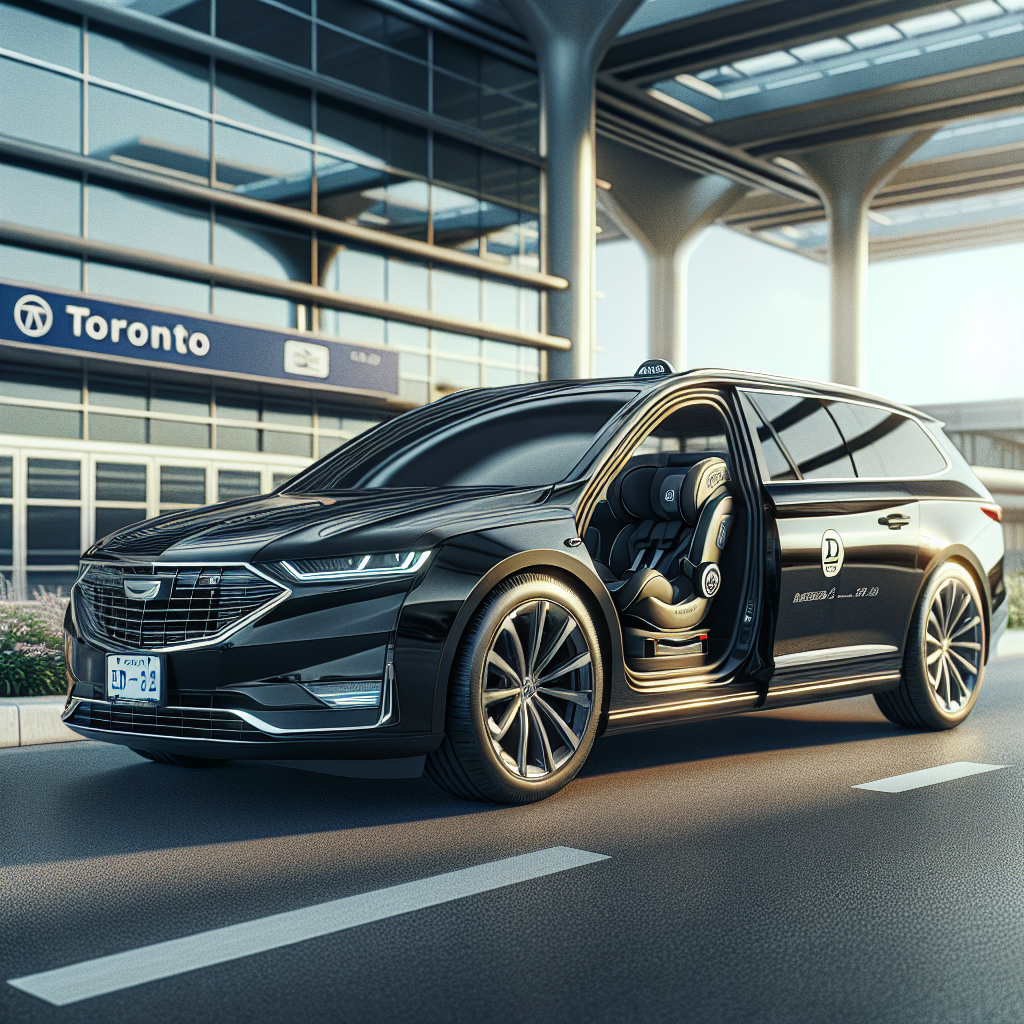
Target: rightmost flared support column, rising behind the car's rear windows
848,176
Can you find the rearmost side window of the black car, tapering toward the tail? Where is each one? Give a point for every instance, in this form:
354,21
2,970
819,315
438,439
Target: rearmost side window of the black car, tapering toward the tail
886,444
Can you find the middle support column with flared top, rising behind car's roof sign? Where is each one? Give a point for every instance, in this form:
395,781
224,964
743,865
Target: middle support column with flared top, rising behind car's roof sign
666,209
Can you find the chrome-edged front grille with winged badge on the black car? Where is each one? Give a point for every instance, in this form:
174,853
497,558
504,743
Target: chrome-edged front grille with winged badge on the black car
201,603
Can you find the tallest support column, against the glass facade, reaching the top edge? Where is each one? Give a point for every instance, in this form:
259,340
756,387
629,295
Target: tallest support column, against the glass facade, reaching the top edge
570,39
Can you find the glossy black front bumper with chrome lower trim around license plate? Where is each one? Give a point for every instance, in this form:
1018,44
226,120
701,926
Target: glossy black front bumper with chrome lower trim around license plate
245,697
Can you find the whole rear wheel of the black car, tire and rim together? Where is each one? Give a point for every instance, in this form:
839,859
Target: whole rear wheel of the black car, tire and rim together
945,663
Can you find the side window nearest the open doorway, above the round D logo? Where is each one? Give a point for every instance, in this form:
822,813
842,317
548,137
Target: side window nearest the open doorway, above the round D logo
802,432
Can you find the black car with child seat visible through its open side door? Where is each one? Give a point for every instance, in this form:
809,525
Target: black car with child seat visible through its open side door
491,582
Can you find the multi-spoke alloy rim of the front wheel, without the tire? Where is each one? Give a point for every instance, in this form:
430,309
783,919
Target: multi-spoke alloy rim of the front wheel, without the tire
538,692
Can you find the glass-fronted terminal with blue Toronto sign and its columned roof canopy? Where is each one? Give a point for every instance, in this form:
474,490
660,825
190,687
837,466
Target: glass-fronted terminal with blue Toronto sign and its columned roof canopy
236,233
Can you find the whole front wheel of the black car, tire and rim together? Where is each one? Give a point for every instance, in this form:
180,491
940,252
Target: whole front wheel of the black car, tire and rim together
496,700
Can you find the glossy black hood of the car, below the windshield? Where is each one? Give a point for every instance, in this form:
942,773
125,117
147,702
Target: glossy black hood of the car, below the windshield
309,526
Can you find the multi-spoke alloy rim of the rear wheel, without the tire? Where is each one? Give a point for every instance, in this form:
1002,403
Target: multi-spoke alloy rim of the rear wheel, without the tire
953,646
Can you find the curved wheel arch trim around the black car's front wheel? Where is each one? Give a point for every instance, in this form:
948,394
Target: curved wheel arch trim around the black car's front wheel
572,572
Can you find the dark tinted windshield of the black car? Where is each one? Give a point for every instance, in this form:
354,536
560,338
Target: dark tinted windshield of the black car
470,443
